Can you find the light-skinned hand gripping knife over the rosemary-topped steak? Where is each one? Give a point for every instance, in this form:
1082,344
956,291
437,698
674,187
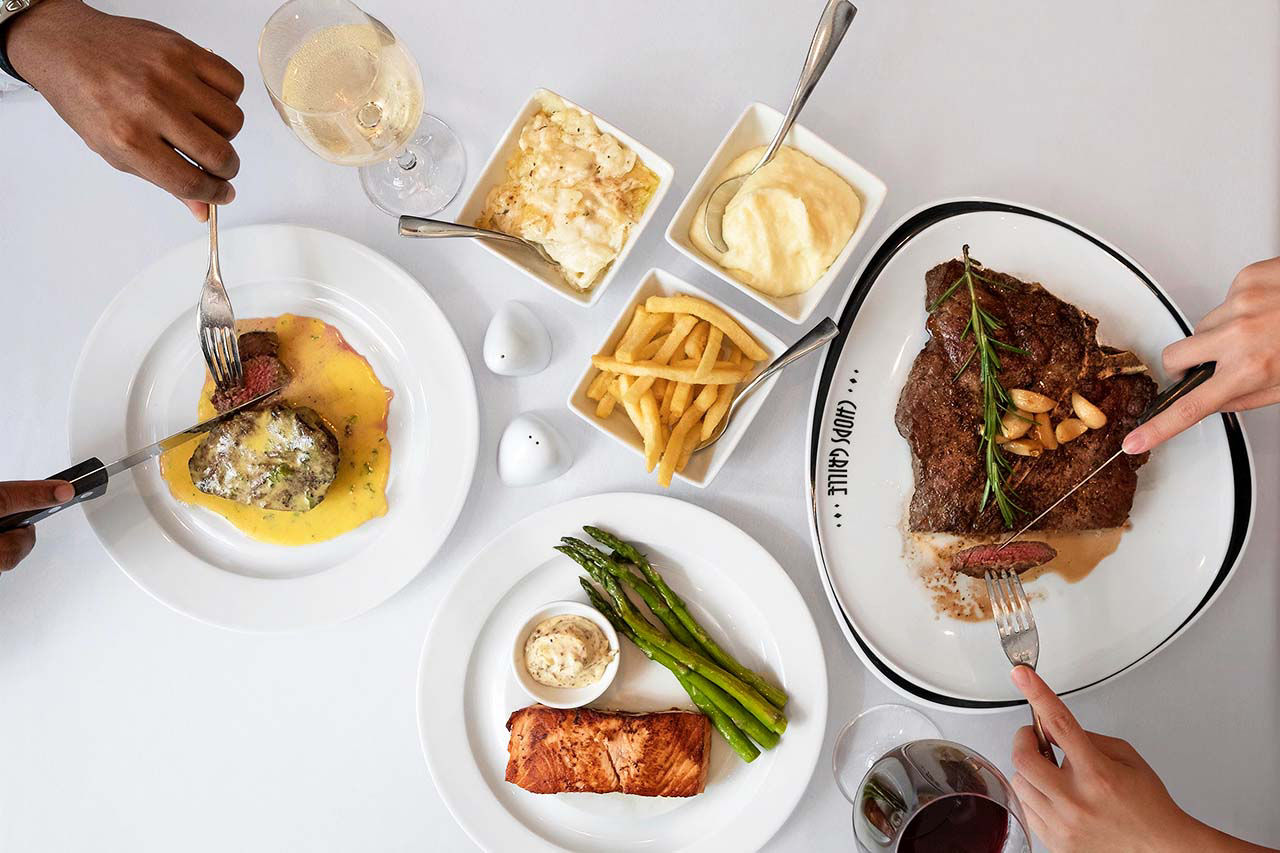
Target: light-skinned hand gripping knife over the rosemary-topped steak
1244,337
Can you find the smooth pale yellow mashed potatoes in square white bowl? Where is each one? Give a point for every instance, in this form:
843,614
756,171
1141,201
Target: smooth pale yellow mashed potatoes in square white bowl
785,227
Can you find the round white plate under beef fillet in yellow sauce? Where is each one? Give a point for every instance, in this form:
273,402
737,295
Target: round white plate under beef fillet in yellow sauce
139,380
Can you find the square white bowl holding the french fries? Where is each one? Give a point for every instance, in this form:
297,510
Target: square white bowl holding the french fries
705,467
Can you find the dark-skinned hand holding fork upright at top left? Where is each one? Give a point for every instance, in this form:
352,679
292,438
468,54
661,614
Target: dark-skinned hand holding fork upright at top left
138,94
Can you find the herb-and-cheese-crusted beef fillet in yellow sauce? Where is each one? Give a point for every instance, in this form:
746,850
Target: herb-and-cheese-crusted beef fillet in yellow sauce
278,458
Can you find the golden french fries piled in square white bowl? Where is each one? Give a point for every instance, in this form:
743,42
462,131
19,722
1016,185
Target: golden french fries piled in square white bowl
674,372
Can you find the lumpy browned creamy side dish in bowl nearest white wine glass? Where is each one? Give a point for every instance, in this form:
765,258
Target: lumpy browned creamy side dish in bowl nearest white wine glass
572,189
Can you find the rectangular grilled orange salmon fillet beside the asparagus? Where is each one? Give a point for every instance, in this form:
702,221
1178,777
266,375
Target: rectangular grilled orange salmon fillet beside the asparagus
600,752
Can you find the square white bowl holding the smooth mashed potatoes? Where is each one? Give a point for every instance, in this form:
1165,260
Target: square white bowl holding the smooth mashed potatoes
757,127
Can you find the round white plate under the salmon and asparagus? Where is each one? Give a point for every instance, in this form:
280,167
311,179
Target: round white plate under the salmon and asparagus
467,690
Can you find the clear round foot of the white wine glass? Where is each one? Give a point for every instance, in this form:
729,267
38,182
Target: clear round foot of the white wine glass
440,166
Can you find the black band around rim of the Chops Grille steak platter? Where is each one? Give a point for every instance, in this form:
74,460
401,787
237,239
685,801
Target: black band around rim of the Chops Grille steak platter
867,279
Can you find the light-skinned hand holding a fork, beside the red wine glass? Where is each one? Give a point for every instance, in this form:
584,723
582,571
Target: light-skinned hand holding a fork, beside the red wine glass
1104,797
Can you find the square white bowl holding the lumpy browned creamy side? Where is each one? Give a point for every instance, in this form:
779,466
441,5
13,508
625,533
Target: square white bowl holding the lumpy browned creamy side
496,172
